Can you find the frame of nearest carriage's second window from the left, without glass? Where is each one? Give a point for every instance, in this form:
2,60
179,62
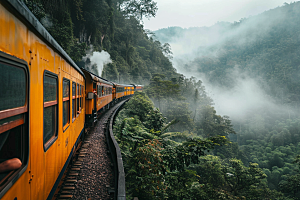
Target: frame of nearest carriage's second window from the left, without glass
49,143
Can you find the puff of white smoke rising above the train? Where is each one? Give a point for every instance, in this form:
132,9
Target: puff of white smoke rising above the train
99,59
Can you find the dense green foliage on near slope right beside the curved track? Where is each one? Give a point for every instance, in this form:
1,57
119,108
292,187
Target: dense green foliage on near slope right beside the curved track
179,165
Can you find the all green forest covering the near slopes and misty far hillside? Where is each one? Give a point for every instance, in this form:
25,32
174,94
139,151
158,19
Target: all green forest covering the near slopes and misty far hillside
174,144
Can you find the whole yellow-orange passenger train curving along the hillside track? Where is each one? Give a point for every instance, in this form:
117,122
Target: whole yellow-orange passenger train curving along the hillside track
46,105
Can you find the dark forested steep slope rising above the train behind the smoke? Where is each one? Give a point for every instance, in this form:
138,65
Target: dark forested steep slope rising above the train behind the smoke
110,25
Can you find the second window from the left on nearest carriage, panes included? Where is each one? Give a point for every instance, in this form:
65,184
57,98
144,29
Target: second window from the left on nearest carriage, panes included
50,109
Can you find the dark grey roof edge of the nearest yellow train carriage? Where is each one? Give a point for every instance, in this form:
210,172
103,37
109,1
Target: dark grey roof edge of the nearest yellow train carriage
22,9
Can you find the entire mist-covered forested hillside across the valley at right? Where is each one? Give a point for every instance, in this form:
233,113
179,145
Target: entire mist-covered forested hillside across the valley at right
252,69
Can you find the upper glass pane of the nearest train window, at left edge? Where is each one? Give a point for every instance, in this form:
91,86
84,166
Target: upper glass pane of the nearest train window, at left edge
12,87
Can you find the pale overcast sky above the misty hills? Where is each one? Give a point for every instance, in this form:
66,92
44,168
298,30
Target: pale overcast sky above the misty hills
198,13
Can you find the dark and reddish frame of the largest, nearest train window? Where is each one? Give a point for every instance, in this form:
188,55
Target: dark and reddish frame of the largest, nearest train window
11,178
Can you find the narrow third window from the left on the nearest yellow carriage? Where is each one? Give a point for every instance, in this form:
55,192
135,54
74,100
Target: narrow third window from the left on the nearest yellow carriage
66,102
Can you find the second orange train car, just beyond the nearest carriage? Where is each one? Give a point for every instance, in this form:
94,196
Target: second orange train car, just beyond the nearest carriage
99,94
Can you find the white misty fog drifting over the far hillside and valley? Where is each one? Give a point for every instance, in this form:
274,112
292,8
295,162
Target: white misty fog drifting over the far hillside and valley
246,95
